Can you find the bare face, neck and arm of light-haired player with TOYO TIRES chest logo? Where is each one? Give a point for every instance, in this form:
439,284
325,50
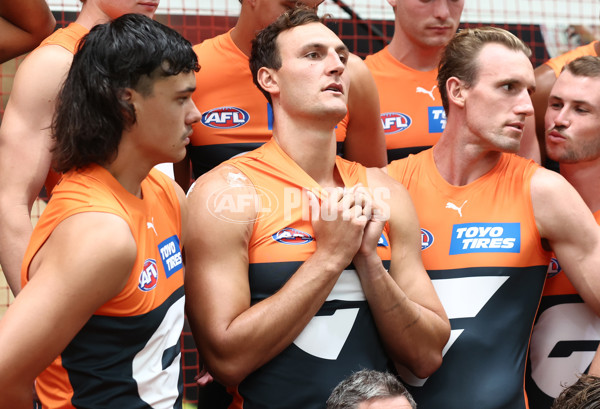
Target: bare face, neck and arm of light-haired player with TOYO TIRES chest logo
485,120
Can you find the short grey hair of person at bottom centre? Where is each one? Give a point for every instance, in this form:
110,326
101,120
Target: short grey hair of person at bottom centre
364,386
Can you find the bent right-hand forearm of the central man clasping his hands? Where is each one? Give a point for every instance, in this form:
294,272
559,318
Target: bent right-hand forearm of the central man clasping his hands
413,335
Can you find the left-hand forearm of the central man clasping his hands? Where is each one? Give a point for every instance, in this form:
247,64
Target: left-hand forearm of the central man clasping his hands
264,330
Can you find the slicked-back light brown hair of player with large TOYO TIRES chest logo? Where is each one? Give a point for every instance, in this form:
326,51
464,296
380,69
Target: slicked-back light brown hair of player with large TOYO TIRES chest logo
459,58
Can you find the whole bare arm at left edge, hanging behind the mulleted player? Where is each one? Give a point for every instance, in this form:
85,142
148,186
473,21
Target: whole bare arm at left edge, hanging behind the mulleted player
25,157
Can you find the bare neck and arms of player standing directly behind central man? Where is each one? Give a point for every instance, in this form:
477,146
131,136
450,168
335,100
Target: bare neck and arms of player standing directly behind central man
364,139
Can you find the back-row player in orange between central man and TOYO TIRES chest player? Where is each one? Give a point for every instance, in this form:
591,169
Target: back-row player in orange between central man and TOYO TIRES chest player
405,73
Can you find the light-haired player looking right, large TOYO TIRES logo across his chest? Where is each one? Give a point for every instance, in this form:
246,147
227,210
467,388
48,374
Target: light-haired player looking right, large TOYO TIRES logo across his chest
487,217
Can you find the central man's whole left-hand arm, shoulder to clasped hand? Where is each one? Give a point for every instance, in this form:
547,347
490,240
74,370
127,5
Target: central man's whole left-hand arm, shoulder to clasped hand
234,337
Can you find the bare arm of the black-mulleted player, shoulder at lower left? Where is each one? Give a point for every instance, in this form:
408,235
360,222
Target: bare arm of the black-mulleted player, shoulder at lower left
44,317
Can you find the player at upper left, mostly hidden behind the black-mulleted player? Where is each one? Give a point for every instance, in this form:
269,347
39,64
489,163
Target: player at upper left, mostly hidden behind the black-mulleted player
25,140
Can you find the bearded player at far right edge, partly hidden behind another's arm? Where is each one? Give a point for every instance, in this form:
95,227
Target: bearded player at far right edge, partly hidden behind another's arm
567,331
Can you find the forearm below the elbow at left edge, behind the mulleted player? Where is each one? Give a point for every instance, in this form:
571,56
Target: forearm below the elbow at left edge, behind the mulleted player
15,232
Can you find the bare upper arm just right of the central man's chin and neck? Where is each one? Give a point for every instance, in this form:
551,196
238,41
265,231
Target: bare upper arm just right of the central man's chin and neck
365,139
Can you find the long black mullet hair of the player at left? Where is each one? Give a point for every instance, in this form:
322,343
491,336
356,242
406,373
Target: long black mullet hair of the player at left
131,51
